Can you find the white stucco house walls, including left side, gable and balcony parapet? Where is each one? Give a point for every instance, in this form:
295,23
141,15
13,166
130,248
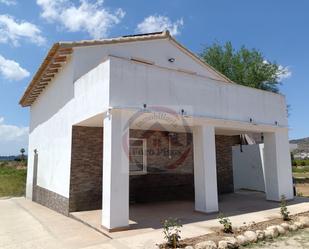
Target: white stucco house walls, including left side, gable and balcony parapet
91,82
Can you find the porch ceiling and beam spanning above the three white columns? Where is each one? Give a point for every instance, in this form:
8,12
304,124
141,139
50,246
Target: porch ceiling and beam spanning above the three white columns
177,123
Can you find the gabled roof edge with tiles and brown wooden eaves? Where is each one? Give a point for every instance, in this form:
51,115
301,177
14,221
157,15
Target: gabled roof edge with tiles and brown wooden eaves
61,51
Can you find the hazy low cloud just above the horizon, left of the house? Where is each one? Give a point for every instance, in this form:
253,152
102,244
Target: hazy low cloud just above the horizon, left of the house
12,138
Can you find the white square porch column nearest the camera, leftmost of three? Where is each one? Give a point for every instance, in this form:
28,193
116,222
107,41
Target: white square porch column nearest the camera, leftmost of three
115,206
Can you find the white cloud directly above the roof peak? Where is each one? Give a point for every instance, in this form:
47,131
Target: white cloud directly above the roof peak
157,23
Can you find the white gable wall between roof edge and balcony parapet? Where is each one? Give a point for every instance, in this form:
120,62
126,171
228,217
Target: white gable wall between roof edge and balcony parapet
157,51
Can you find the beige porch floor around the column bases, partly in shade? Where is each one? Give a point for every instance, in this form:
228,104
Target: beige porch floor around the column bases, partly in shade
243,206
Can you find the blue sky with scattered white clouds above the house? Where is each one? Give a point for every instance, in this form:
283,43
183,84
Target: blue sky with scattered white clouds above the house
278,28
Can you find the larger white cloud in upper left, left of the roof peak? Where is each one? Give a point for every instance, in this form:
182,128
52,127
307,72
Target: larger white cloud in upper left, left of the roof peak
12,31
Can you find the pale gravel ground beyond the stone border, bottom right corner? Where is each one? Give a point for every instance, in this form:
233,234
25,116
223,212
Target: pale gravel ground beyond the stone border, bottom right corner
298,240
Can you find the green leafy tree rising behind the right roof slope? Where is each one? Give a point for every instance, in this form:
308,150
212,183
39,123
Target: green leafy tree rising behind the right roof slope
244,66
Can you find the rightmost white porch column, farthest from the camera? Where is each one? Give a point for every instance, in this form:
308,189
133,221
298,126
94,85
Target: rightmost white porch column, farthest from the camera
277,164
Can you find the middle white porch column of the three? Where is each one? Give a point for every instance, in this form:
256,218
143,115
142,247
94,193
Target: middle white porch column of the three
205,171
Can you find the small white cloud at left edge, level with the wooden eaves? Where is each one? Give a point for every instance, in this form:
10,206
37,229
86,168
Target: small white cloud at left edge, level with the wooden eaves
11,70
